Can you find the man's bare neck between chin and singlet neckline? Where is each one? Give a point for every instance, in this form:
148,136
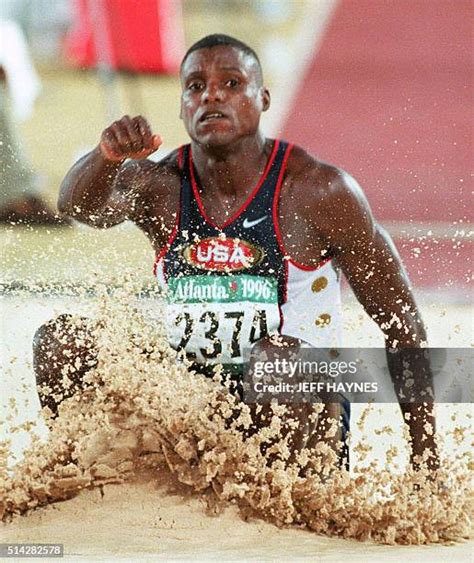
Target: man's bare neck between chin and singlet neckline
231,170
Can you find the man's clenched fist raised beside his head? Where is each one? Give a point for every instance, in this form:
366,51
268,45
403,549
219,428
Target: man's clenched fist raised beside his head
129,137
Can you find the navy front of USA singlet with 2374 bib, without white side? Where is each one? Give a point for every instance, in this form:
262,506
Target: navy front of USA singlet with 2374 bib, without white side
223,281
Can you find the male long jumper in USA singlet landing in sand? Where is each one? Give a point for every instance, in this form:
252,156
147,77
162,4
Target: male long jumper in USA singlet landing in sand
250,233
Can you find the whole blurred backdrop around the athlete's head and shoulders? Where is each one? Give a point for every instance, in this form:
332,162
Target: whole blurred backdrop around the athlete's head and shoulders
382,88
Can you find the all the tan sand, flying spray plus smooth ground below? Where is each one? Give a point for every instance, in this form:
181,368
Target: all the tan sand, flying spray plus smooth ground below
108,436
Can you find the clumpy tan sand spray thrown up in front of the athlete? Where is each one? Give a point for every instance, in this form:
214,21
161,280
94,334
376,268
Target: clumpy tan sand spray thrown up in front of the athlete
145,411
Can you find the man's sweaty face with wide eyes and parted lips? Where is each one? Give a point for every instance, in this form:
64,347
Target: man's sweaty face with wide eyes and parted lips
222,95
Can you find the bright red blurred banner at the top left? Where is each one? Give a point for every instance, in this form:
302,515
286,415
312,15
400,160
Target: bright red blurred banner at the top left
133,35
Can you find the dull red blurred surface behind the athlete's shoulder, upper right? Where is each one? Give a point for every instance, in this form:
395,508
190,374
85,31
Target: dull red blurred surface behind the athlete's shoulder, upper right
388,96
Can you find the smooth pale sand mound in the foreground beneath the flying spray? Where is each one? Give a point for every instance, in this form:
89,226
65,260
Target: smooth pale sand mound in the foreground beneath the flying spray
155,520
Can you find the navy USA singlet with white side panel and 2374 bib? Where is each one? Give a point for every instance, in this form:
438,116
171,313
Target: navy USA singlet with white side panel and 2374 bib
229,285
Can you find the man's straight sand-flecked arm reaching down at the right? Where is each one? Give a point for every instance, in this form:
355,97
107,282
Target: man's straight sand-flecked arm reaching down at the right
372,265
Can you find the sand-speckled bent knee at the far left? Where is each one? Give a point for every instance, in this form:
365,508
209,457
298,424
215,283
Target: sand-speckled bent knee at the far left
63,352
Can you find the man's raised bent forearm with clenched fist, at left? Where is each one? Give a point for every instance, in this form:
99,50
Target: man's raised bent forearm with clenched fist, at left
101,189
